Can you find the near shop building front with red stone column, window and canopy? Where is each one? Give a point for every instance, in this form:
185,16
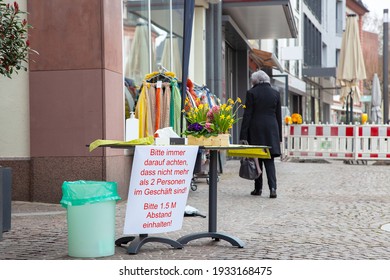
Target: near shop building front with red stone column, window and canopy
73,93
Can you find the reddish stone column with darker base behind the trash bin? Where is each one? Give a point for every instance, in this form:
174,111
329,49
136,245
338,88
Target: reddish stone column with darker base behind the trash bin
76,94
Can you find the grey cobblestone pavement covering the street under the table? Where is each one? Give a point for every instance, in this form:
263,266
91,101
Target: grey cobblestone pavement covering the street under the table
327,211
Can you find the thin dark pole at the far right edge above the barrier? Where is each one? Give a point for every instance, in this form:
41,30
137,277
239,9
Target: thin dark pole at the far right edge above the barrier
385,66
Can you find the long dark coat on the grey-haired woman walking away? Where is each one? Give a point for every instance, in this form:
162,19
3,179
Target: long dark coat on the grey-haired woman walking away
262,119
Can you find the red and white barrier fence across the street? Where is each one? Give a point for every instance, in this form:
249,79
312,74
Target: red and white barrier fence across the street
353,142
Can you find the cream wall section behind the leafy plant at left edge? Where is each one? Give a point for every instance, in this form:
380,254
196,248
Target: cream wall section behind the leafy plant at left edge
14,112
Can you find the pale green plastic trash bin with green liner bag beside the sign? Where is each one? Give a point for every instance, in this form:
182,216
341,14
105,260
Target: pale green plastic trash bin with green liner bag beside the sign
90,217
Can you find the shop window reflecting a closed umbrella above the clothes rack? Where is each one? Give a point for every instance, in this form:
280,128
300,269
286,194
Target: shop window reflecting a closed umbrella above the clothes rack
149,28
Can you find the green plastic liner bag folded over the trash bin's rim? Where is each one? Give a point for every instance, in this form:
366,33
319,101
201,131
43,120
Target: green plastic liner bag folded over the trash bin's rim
81,192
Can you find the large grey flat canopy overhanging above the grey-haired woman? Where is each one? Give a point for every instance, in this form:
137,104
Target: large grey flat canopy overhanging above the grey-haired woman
262,19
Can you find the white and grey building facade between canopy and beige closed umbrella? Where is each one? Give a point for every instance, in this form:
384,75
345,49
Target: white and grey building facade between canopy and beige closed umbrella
322,23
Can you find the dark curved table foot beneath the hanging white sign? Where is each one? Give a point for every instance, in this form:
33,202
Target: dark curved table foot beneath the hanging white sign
139,241
